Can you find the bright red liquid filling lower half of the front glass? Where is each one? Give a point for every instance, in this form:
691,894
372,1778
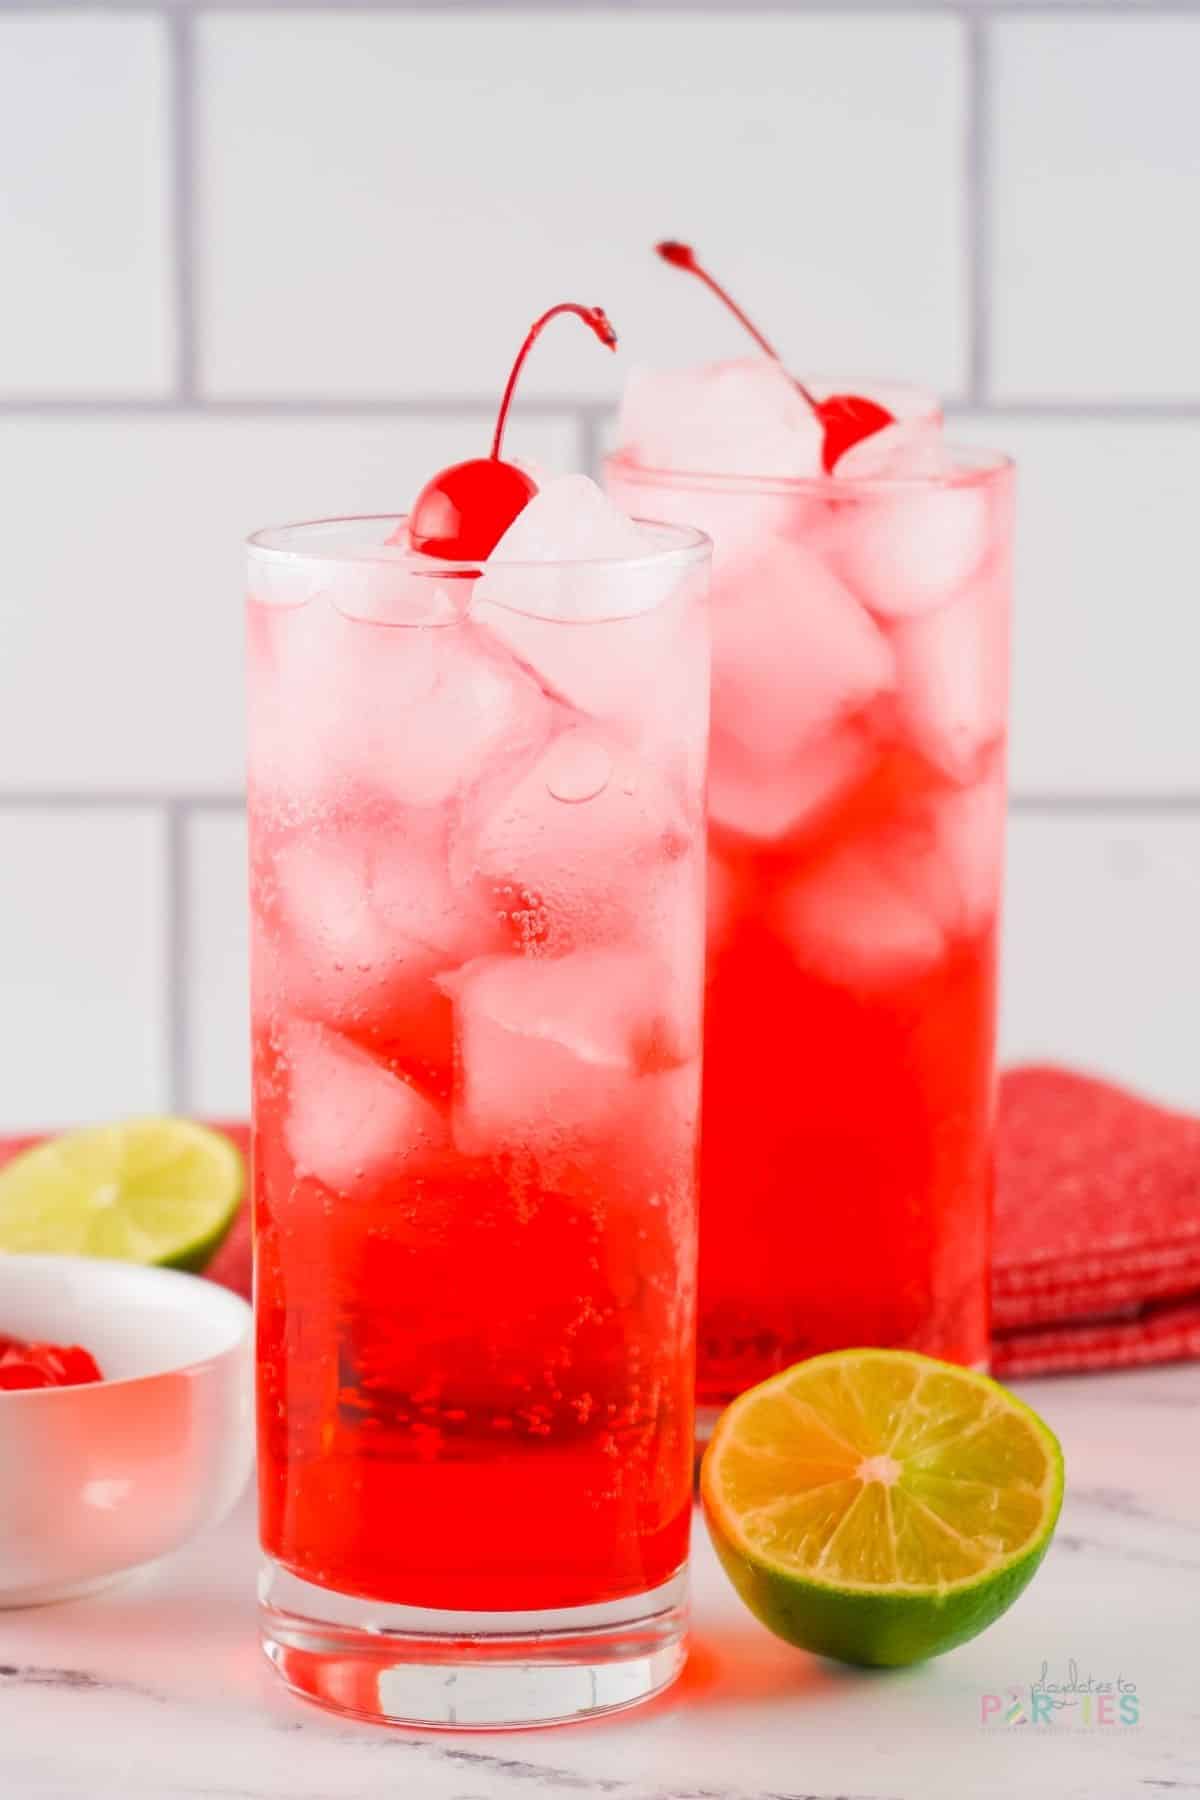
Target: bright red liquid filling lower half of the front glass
476,1376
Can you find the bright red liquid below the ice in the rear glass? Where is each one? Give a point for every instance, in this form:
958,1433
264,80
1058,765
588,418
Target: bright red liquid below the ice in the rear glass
864,1183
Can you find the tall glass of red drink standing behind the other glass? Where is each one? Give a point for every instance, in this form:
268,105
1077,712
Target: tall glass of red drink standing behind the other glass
857,827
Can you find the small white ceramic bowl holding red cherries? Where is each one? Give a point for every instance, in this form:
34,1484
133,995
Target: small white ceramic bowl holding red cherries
98,1480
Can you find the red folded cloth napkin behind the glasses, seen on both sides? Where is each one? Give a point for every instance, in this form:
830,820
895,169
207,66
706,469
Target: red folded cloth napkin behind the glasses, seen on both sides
1097,1259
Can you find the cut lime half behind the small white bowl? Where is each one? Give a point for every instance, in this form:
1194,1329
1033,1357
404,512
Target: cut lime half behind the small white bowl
145,1191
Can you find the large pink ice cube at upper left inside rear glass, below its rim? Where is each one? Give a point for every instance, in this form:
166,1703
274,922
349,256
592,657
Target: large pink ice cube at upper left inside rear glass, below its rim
793,654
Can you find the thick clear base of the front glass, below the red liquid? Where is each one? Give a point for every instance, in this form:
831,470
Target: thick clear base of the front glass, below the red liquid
460,1671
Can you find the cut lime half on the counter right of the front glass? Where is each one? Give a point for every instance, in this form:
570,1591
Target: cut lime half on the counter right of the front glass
881,1507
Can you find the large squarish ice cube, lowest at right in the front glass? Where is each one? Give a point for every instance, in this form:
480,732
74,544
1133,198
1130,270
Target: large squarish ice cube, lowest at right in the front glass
553,1050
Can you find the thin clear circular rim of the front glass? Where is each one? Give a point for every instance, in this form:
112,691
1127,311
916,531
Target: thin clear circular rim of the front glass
289,546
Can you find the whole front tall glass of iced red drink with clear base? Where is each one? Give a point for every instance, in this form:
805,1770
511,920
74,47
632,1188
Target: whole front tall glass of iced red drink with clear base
478,890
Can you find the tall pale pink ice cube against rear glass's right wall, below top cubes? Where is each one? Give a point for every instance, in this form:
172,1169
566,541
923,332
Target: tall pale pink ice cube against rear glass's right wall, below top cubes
953,665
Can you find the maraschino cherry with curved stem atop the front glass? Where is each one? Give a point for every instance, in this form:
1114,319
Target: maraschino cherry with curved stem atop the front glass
465,512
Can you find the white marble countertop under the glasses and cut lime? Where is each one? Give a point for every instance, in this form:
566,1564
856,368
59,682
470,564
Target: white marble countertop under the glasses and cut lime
156,1689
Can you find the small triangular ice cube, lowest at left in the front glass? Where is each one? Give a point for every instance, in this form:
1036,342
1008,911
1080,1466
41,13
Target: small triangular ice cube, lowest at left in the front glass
352,1120
